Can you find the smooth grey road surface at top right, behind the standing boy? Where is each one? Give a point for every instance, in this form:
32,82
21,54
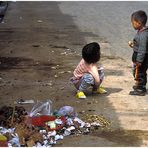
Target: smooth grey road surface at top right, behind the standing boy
108,20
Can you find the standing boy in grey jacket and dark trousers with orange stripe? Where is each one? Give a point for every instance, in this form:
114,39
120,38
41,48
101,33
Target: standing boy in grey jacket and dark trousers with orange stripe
140,52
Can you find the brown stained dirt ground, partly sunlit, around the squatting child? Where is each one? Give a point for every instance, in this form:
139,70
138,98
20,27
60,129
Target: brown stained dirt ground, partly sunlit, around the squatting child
38,53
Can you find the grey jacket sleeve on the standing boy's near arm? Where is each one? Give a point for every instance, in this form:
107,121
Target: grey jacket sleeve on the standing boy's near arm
142,47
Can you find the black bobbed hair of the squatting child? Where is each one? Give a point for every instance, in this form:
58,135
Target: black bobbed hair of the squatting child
91,52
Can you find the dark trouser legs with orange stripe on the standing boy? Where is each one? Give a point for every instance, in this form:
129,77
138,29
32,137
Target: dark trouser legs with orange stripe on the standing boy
140,76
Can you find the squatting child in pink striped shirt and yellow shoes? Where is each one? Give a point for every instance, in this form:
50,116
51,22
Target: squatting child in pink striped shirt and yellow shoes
87,73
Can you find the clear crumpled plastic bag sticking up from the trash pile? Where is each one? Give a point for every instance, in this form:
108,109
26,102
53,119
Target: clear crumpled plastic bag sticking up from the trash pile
41,108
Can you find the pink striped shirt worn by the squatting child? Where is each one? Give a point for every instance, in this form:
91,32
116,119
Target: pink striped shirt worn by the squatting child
83,68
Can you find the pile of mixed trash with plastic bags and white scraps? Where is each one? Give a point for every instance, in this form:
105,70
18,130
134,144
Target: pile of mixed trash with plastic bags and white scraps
41,126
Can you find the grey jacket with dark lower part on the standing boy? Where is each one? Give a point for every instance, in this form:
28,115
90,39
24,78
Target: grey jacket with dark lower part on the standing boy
140,48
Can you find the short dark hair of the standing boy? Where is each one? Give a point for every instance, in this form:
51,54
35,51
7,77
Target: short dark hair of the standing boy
140,16
